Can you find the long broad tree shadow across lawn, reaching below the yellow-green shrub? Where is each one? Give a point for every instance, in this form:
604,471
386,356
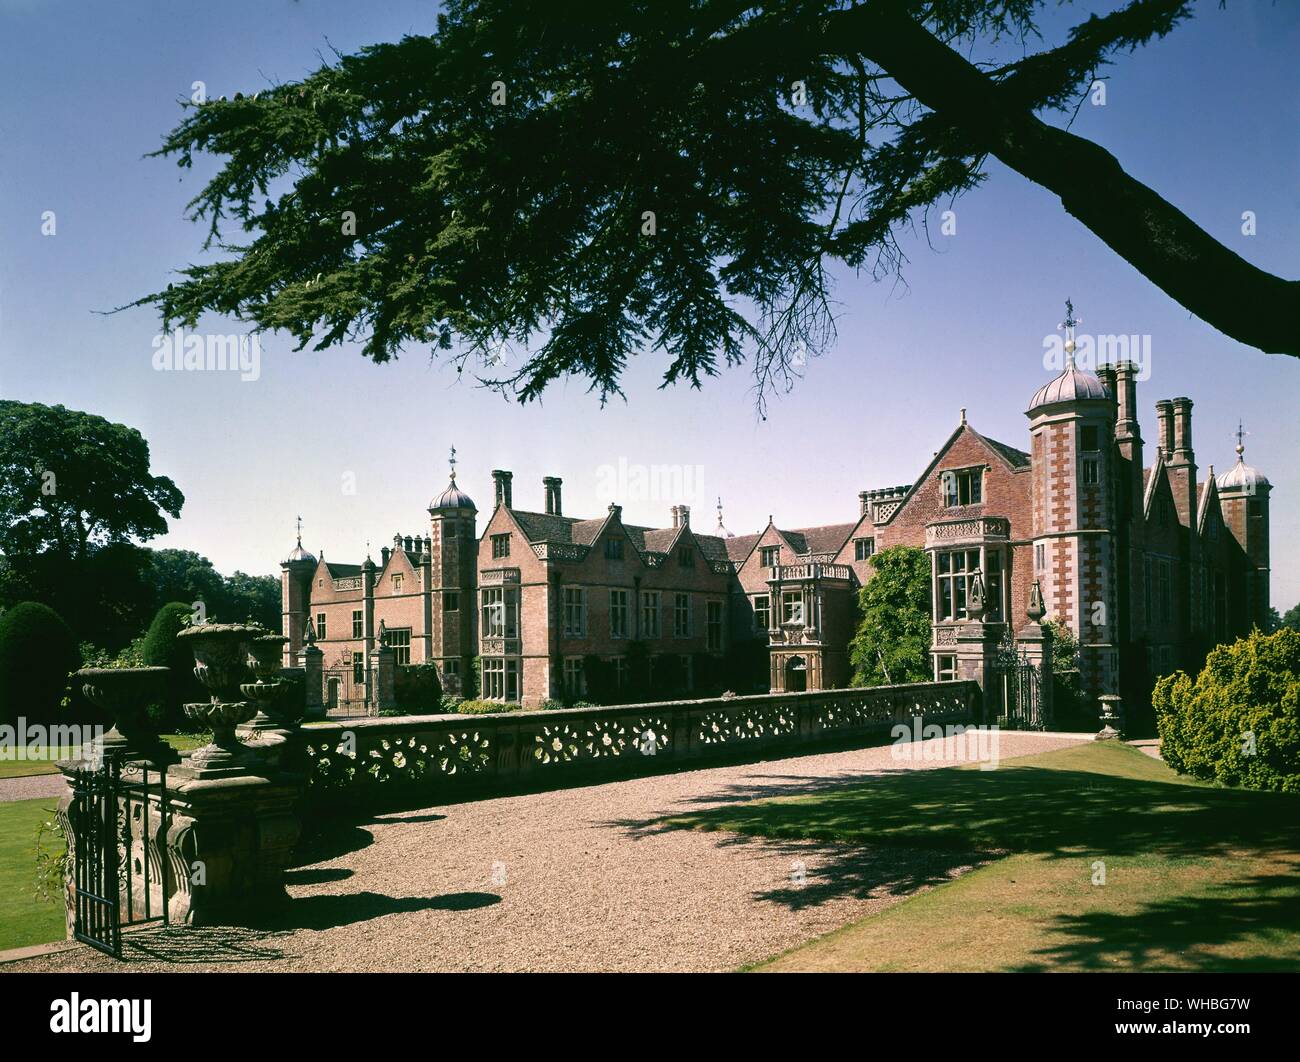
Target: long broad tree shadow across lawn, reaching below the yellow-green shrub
1019,808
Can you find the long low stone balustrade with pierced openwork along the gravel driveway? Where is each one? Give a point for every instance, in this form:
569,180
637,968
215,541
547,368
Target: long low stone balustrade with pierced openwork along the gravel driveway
447,757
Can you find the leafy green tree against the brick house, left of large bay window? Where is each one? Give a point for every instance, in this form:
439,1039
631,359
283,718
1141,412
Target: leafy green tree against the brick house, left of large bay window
894,635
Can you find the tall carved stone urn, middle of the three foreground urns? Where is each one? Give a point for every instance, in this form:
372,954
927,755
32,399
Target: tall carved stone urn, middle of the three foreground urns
222,664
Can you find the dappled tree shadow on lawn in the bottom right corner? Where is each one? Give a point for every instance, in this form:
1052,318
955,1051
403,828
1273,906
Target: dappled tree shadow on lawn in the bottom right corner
1188,926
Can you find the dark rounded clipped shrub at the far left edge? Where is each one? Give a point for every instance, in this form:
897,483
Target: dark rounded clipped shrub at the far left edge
38,652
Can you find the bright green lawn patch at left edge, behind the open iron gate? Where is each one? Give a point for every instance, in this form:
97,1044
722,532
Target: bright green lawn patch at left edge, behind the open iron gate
24,920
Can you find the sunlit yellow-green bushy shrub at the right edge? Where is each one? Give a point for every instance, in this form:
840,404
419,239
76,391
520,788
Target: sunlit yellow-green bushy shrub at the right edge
1240,722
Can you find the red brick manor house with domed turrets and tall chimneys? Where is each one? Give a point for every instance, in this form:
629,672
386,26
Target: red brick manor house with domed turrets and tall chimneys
1146,562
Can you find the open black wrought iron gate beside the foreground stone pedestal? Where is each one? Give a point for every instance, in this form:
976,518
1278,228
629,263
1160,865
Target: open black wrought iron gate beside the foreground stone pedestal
114,859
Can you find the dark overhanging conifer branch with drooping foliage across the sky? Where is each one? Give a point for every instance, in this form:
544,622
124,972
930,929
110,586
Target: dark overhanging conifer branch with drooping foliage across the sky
588,181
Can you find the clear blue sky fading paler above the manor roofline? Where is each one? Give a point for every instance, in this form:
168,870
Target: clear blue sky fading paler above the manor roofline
1208,118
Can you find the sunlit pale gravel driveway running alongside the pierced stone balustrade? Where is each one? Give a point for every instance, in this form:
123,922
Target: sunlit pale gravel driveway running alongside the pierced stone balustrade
577,879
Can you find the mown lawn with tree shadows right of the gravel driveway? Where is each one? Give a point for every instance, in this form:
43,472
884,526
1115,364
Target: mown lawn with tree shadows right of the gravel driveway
1197,877
